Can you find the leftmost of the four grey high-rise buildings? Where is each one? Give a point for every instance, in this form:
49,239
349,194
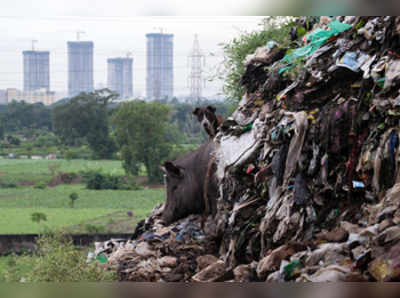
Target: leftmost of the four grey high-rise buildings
36,70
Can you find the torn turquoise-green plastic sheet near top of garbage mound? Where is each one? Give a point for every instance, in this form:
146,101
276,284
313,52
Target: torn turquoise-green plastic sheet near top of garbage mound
317,38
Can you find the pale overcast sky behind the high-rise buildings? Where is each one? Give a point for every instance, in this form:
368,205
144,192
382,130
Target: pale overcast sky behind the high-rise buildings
116,27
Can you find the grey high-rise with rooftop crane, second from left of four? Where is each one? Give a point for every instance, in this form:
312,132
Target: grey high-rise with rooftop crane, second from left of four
80,67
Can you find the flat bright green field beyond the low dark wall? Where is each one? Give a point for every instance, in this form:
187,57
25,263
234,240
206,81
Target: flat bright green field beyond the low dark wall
94,210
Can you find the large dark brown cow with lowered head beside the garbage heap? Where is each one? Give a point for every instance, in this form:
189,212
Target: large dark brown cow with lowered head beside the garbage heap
187,189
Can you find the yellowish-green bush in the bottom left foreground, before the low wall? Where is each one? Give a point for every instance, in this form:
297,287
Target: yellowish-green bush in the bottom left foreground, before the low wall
58,260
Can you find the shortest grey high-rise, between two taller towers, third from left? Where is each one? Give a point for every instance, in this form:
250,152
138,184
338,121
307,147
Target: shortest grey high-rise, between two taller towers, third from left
119,76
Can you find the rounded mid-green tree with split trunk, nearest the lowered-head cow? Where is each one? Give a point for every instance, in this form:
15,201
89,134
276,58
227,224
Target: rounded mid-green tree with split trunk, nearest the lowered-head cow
144,135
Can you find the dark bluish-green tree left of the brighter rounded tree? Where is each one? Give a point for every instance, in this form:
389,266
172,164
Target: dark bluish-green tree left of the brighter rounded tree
85,116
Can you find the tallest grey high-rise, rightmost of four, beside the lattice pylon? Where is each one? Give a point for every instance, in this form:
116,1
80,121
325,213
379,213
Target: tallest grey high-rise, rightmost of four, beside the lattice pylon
160,74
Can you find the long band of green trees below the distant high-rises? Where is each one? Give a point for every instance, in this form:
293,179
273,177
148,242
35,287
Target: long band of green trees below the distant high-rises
137,132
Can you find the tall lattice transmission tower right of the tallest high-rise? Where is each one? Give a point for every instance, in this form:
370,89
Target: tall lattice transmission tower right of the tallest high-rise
197,61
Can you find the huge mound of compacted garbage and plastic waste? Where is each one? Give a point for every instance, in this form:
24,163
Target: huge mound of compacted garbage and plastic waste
308,168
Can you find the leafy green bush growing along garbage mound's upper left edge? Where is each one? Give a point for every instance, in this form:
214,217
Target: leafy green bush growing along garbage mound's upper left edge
235,51
